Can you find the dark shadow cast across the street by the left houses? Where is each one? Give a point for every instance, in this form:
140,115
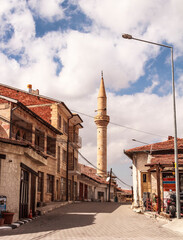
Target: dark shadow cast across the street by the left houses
69,216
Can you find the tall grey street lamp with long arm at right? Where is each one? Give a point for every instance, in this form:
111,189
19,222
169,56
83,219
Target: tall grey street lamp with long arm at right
128,36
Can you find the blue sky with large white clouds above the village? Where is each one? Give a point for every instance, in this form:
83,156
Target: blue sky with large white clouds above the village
61,47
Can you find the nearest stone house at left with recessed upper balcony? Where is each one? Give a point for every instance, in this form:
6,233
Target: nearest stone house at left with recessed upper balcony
21,155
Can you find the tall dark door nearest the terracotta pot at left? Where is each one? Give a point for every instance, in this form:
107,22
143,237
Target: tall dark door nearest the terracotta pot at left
24,194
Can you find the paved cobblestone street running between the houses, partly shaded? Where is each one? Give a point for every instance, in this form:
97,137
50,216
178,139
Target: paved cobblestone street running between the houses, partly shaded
92,221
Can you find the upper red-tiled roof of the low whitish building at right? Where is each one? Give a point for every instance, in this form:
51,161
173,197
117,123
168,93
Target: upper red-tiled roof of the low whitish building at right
166,145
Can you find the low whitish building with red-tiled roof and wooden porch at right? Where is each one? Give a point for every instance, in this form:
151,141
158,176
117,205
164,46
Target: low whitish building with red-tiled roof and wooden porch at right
154,172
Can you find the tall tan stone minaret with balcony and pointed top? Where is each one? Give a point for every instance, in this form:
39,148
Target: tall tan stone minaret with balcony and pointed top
102,121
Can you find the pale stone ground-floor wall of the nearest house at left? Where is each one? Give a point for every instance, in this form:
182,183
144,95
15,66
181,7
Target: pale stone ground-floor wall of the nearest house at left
10,172
